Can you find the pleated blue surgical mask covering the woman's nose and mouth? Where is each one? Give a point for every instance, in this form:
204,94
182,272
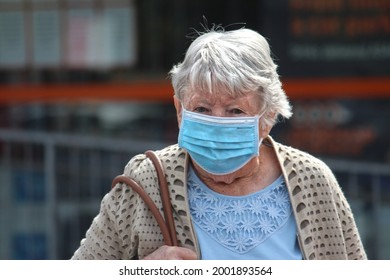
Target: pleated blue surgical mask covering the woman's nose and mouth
219,145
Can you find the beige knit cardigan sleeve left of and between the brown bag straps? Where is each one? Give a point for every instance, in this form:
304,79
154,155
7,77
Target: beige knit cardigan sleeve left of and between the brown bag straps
124,227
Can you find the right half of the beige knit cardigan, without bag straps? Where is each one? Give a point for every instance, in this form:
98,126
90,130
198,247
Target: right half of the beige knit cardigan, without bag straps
325,223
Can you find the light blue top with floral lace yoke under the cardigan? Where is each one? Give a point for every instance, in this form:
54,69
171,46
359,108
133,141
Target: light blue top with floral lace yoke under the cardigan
255,226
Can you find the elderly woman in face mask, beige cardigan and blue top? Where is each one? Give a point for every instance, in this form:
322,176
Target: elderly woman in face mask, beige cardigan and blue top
235,192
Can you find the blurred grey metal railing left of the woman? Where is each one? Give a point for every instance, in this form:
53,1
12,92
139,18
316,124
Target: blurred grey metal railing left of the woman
46,216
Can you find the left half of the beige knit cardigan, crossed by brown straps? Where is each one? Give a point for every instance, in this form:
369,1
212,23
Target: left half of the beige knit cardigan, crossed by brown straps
125,227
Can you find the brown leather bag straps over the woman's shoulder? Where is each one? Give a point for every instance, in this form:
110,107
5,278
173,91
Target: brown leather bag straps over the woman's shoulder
166,223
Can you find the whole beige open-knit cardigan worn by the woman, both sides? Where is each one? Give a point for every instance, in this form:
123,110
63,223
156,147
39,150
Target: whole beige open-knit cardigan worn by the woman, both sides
125,228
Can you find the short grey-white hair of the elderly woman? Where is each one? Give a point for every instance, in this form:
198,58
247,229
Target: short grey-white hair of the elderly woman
236,62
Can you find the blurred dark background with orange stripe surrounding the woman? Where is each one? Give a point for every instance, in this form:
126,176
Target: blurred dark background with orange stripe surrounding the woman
83,88
